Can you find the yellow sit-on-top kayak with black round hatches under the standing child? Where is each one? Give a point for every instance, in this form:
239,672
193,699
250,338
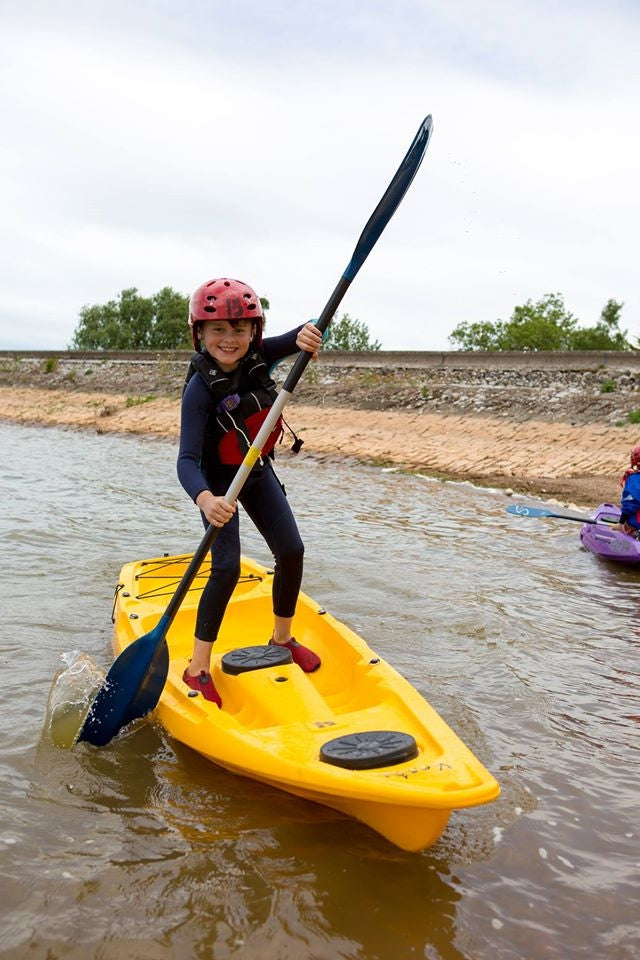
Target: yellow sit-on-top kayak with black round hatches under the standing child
354,735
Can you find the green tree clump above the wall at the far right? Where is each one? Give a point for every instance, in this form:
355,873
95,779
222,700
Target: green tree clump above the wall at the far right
545,324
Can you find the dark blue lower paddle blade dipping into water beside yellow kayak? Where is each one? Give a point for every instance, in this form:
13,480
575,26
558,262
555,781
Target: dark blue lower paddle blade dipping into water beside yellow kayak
131,689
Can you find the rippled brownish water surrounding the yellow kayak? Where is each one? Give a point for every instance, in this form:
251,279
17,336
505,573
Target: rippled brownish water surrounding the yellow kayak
527,645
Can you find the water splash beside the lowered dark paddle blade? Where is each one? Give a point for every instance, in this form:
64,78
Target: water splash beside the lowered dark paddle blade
73,690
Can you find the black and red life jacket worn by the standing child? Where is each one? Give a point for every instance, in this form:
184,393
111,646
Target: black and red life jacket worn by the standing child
238,417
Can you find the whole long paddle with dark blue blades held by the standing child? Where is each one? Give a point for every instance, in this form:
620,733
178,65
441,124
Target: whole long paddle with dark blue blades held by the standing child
134,683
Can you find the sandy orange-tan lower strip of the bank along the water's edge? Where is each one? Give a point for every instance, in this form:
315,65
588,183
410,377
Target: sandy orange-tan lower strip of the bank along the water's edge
577,464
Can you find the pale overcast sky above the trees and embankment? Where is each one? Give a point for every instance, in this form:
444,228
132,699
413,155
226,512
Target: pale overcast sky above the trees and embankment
155,143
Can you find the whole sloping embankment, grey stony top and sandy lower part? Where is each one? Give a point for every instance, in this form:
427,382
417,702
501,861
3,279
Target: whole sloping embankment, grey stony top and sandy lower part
544,430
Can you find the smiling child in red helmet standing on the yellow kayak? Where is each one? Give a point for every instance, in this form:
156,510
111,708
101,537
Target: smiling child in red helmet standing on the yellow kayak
225,401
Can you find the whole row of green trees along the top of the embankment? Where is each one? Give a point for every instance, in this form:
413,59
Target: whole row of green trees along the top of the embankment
159,322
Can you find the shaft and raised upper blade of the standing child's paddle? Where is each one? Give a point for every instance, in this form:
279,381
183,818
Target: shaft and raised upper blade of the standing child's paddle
368,238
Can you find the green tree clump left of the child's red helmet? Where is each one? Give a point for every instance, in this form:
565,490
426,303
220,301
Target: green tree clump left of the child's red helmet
132,322
